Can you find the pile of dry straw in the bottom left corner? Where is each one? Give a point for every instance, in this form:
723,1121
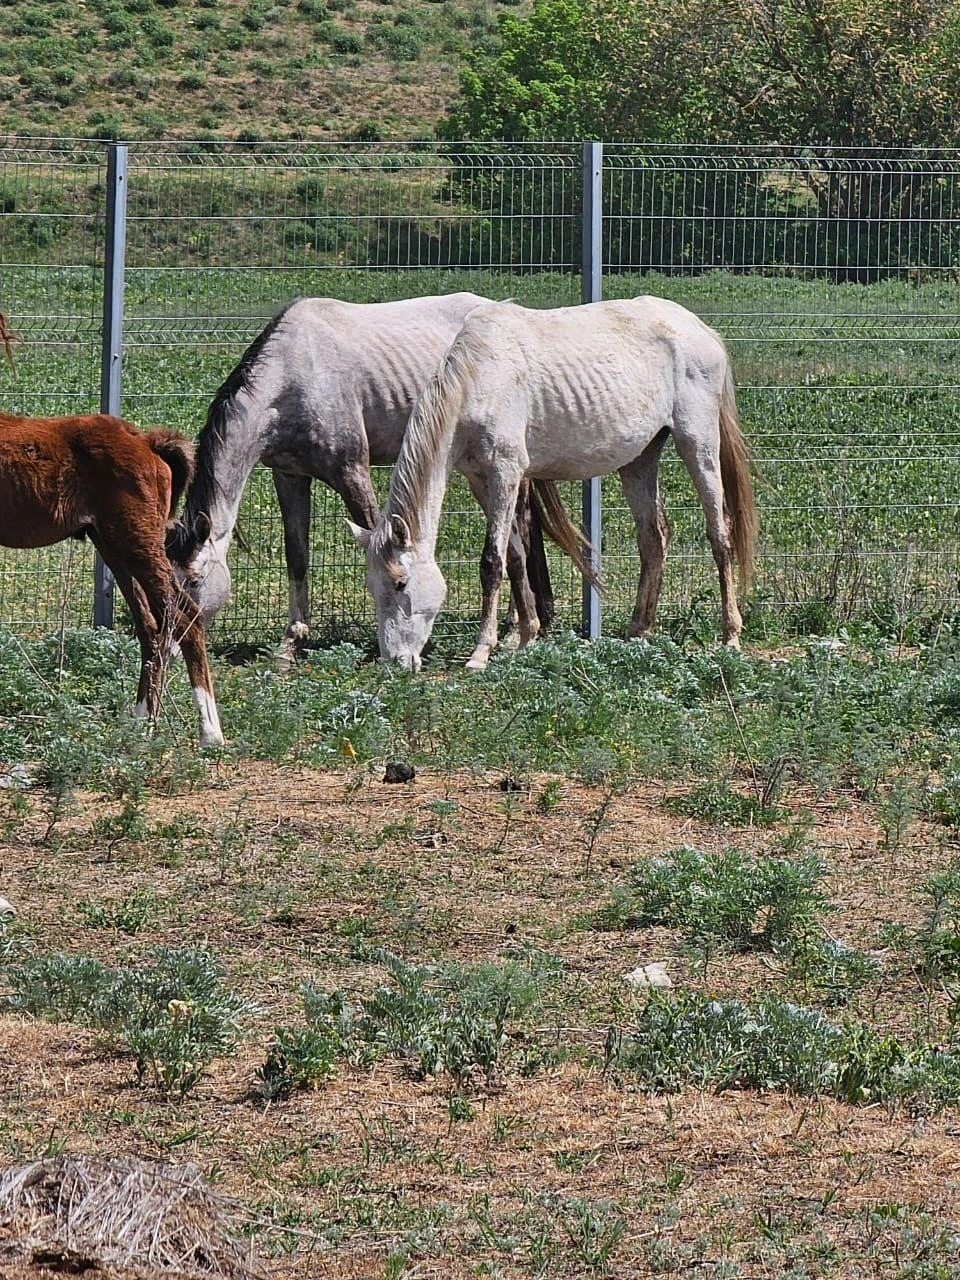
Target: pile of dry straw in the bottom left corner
88,1212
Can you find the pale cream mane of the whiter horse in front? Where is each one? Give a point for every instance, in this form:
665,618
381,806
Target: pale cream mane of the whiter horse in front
431,423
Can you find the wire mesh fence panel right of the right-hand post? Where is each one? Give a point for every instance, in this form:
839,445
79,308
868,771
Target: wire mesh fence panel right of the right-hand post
833,277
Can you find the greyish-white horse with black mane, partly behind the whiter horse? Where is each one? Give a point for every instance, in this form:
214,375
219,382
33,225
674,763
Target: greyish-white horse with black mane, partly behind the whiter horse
322,394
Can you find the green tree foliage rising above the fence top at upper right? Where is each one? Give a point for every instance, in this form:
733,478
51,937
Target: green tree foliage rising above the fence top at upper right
838,72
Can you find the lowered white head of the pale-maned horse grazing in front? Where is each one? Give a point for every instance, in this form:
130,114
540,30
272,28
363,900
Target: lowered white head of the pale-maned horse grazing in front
408,588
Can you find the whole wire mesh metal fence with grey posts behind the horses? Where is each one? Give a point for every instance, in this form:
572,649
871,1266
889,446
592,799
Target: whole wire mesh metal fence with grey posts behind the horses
831,275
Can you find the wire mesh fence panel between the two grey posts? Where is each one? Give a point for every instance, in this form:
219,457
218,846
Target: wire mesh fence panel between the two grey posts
221,237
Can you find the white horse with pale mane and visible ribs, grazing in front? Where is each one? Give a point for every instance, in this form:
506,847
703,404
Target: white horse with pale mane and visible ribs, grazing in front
563,395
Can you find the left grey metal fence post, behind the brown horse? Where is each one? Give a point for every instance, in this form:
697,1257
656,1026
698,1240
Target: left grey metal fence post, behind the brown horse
112,346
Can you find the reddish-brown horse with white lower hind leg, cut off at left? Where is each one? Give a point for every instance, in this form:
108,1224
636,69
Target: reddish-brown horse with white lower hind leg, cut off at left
100,478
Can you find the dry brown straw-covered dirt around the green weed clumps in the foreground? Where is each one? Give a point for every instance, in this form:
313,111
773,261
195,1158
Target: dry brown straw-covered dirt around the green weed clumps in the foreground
284,872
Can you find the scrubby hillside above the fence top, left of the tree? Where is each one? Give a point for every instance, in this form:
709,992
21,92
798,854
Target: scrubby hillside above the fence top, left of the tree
244,70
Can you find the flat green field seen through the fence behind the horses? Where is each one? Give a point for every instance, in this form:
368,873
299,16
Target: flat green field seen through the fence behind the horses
848,397
